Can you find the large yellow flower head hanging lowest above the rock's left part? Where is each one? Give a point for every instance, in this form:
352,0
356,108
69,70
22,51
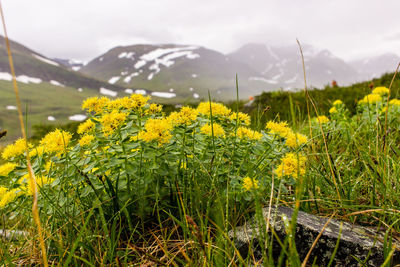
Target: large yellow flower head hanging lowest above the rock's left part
291,165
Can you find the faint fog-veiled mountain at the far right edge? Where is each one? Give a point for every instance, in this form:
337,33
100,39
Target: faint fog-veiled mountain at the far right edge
374,67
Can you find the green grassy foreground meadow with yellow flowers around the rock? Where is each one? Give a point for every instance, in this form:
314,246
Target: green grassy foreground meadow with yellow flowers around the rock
141,187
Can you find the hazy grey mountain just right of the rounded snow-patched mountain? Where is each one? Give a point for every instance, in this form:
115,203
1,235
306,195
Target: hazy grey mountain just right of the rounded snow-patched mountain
281,66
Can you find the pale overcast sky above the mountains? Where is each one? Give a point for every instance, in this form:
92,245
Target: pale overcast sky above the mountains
84,29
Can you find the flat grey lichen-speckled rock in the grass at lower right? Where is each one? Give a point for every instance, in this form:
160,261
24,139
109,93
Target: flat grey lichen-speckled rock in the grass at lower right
358,242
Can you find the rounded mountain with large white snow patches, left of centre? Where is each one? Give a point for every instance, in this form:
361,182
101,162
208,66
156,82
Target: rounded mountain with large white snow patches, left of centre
186,71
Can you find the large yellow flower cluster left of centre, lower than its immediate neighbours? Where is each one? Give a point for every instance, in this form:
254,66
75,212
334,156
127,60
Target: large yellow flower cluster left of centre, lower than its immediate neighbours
158,130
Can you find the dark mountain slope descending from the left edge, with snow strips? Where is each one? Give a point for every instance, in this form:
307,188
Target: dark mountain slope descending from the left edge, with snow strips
32,67
